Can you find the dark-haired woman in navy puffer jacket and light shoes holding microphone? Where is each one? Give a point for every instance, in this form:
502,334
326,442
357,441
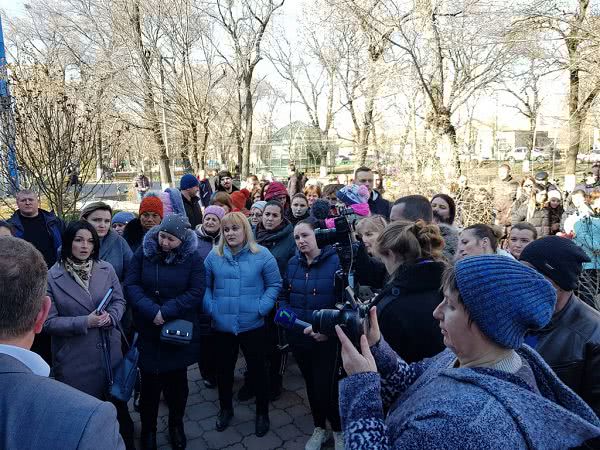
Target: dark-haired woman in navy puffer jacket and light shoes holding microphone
309,286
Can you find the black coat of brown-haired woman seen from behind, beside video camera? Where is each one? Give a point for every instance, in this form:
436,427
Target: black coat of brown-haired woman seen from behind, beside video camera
405,311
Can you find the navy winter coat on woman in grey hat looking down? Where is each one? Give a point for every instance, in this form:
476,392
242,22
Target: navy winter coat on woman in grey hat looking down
175,286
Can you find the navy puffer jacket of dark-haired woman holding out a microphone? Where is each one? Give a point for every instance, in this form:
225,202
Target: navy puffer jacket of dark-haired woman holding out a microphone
308,288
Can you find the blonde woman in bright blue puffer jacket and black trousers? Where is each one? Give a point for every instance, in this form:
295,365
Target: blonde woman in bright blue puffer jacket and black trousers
242,284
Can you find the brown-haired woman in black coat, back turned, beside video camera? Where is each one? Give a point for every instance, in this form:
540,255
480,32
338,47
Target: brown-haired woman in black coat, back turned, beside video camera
412,254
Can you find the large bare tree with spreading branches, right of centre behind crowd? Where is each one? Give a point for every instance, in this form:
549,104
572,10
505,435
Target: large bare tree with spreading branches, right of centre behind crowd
454,50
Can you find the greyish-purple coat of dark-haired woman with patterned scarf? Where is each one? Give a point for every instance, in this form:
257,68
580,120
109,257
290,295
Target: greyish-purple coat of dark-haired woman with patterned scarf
77,351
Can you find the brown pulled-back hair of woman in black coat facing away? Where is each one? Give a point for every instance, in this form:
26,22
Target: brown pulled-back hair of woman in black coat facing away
412,240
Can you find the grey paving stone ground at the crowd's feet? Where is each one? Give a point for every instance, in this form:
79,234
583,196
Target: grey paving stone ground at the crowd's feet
291,422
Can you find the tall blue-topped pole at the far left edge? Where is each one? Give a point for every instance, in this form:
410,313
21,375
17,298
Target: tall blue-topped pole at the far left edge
8,155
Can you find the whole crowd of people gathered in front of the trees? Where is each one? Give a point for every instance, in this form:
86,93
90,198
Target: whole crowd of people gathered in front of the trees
480,335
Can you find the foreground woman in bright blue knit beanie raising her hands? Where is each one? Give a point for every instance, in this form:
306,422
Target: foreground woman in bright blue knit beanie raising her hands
486,390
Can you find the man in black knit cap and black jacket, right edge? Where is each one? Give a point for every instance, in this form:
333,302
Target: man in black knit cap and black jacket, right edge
570,343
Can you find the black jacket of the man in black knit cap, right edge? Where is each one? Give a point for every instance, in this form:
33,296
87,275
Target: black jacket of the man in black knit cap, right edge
570,344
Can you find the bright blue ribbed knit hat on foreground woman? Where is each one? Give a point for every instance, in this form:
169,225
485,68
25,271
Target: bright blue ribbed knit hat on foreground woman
504,297
